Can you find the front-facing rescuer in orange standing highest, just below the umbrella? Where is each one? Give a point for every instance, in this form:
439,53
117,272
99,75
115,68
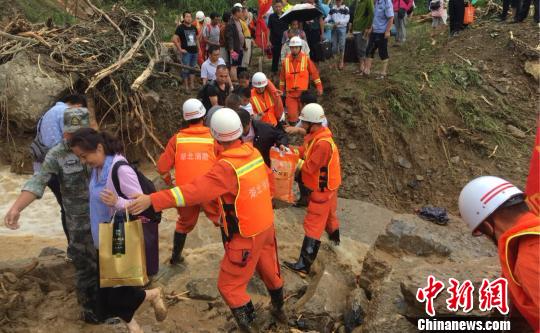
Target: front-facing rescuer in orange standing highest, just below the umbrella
296,70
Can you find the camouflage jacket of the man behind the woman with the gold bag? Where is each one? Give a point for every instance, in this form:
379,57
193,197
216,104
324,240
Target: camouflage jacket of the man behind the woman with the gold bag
72,175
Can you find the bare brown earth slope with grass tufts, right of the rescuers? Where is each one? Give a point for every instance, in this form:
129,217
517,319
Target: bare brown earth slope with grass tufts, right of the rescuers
448,112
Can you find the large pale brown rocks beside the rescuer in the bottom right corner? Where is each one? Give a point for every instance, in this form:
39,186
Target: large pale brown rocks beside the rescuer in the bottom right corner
405,255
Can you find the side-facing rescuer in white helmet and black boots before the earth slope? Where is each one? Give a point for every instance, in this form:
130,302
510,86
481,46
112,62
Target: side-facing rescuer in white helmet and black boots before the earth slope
321,174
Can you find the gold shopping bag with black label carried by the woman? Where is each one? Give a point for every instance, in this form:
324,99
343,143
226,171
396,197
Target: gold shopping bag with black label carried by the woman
122,260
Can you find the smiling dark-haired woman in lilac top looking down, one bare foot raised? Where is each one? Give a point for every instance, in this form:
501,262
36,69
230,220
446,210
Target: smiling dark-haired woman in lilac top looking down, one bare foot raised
101,151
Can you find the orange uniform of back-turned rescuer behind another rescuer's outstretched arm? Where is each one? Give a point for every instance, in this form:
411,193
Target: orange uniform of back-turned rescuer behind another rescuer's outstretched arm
192,152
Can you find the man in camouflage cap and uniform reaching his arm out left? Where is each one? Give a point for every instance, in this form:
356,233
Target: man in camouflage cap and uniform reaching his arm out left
73,178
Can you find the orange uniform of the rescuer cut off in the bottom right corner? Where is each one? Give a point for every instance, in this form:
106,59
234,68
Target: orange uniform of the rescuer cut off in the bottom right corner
519,253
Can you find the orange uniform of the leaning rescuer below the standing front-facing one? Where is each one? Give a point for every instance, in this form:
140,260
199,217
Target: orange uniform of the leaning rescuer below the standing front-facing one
268,105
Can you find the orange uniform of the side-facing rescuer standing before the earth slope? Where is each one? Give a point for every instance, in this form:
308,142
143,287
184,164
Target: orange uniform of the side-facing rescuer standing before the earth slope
321,174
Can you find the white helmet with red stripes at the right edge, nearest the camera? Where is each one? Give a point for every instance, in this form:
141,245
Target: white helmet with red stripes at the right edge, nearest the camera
482,196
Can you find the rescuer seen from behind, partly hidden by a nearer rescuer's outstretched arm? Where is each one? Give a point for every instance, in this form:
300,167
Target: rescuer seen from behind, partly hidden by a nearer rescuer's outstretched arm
192,152
